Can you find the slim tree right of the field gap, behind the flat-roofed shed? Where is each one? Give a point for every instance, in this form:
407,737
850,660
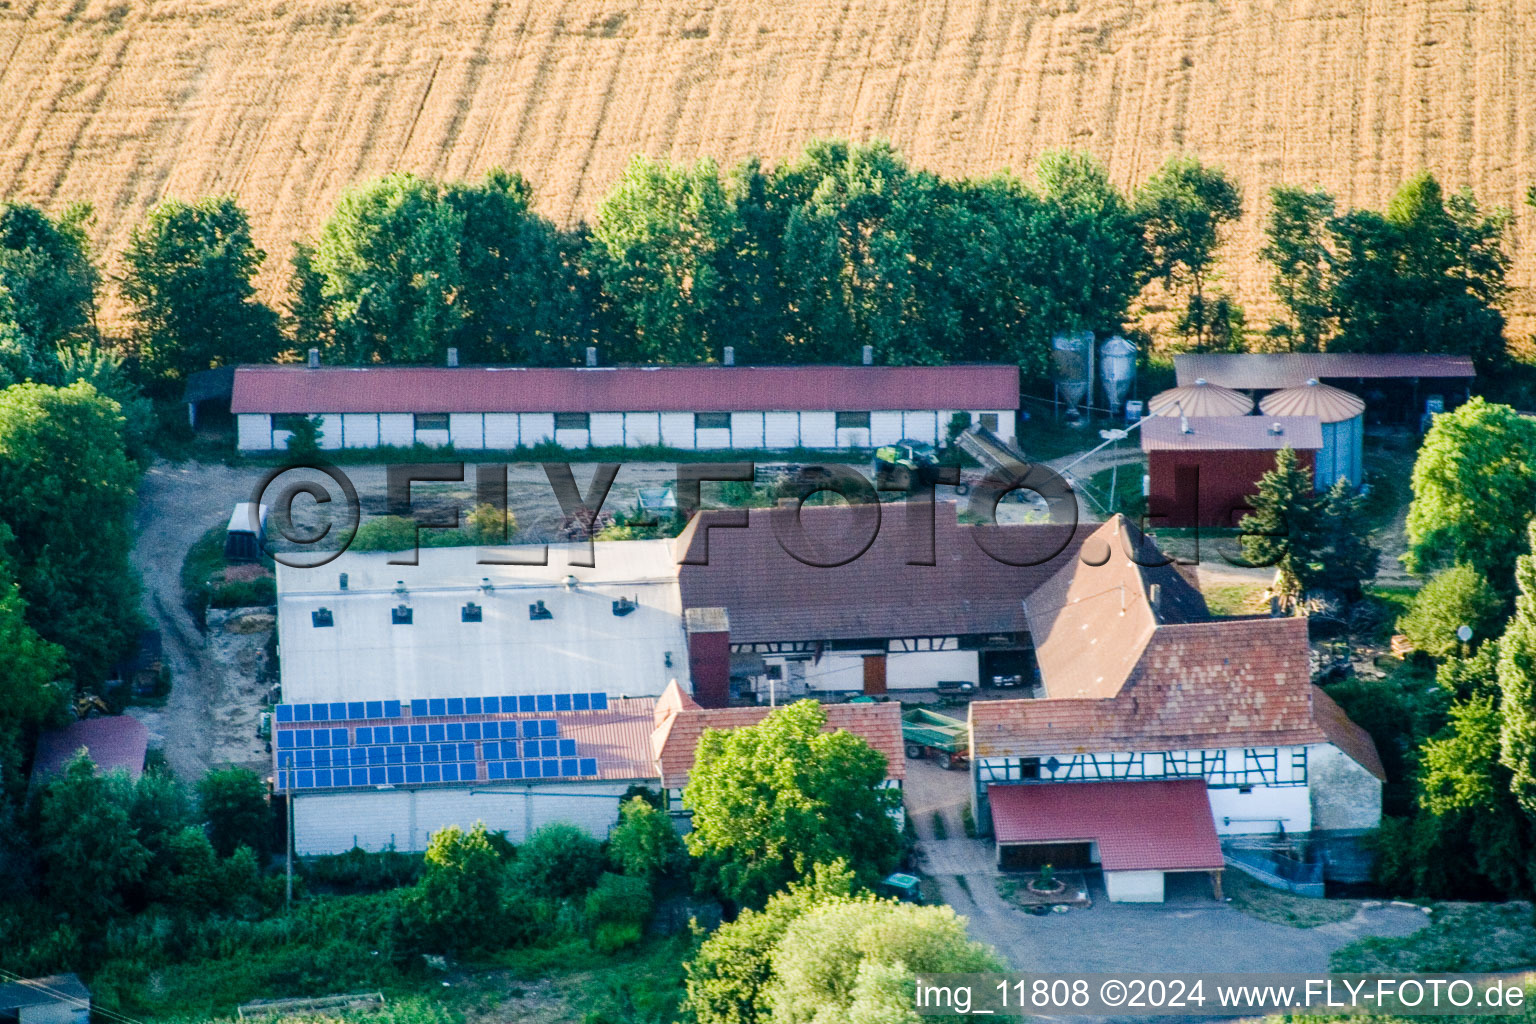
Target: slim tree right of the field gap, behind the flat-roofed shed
1297,248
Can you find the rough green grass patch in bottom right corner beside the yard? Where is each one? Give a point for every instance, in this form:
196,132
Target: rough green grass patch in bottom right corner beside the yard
1463,937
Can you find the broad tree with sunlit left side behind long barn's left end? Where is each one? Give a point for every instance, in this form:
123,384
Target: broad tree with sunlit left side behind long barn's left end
389,257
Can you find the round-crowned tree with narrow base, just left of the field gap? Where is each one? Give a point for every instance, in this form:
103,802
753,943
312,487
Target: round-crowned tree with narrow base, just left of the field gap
1185,208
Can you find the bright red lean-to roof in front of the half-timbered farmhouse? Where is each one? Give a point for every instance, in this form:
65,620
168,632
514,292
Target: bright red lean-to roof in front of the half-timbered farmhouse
1137,825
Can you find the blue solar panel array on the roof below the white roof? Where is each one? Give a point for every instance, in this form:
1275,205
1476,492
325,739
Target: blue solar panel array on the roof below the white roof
316,755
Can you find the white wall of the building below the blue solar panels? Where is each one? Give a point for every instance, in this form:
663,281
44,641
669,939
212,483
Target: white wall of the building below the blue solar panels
333,824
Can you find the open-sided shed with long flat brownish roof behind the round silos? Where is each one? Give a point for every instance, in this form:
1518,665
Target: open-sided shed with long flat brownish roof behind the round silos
1397,388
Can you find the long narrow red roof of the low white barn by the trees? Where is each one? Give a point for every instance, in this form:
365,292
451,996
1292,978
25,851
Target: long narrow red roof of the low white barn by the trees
687,389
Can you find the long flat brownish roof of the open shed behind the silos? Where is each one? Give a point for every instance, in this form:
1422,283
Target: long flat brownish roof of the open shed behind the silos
1293,369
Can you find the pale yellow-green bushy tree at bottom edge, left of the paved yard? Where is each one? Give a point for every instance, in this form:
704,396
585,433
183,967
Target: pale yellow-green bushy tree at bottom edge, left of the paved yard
856,962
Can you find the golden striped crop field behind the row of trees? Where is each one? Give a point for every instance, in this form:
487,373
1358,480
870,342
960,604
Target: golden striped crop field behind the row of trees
285,104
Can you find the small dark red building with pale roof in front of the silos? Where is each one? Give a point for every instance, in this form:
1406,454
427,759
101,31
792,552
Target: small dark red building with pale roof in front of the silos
1202,471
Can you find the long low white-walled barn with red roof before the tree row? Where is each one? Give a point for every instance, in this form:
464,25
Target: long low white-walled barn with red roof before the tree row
631,408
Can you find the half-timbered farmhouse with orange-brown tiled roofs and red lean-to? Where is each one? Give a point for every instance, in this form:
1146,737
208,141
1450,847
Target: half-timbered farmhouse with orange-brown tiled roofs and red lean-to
1144,685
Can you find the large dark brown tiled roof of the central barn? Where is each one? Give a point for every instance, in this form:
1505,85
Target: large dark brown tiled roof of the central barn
775,596
